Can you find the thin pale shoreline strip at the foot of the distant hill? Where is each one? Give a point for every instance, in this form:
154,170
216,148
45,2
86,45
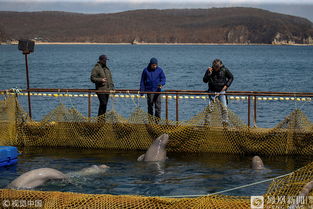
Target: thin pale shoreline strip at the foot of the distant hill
94,43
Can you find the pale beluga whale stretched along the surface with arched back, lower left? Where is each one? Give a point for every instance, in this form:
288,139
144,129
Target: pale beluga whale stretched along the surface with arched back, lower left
37,177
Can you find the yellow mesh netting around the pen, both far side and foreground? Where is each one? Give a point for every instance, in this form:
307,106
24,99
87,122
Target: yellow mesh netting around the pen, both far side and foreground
205,132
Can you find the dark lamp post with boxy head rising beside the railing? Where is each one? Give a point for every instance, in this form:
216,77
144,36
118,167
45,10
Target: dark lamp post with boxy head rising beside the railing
27,46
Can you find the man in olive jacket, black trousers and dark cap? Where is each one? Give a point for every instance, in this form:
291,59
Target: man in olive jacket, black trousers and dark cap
102,77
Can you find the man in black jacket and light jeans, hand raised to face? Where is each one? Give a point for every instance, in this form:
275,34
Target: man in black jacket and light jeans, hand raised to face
219,79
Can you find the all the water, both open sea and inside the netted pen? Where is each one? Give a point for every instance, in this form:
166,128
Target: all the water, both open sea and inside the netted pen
255,68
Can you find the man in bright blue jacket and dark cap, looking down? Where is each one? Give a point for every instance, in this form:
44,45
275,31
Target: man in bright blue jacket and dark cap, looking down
153,79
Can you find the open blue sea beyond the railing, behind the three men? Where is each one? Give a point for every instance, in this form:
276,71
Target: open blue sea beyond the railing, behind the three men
255,68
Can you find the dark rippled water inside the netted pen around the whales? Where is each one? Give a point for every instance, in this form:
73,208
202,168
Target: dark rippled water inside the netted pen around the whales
181,174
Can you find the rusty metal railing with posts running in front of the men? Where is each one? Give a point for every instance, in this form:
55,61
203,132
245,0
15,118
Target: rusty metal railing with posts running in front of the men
251,95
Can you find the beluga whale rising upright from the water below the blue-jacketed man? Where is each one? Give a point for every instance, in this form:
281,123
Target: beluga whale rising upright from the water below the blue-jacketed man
156,151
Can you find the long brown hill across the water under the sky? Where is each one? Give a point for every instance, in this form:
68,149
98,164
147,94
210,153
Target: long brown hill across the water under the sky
216,25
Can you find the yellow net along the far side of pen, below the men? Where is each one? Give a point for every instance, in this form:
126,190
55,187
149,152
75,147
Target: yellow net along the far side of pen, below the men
204,132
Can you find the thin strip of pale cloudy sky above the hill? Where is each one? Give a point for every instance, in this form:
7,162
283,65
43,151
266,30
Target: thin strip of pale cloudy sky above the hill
301,8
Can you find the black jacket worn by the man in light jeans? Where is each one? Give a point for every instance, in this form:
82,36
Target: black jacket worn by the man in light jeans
218,79
